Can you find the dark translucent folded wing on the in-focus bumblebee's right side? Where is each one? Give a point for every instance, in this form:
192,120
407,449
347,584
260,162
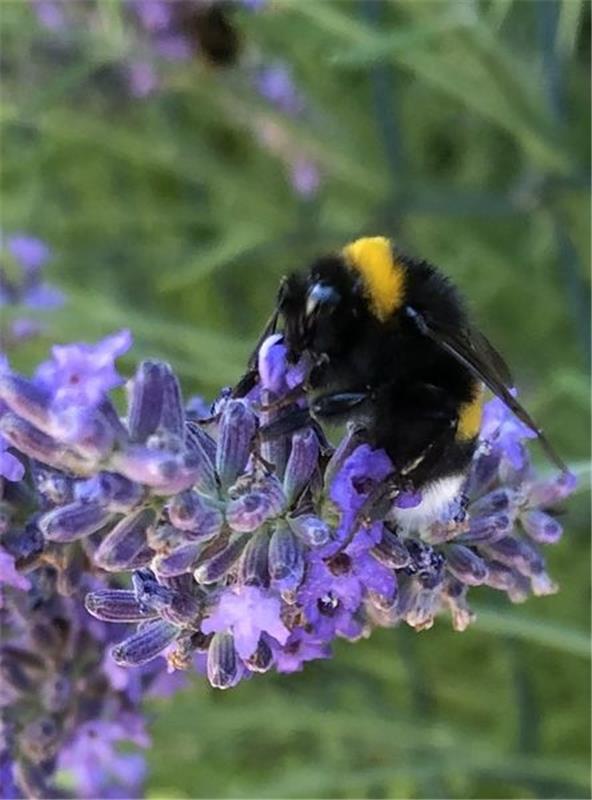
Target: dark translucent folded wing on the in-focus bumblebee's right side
472,349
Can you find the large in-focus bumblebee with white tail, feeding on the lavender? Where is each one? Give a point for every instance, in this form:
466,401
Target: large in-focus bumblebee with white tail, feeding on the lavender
392,348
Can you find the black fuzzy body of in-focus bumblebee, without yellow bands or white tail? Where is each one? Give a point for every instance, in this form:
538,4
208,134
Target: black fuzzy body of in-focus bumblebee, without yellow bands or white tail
413,390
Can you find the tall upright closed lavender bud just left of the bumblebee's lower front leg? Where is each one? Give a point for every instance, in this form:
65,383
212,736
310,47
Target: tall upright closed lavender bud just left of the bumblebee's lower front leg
238,425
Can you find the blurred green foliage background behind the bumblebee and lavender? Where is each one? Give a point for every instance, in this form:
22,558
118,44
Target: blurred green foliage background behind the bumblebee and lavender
462,130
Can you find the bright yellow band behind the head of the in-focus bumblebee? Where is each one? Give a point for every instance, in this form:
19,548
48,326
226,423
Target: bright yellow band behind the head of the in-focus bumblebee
382,274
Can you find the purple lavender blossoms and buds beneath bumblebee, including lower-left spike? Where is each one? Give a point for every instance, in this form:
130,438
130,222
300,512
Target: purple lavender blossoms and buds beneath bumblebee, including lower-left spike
229,553
